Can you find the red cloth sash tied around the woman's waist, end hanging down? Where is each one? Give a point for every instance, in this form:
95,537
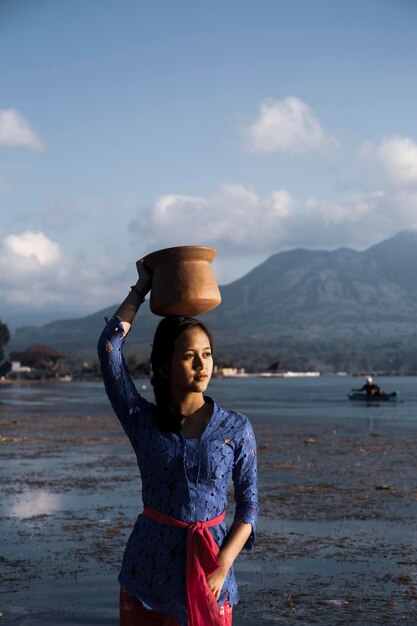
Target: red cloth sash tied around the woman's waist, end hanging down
202,550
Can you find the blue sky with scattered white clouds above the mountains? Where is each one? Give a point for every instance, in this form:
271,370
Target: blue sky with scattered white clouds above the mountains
252,127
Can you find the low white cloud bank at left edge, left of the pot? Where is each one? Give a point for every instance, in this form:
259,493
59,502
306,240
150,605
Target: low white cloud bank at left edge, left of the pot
35,273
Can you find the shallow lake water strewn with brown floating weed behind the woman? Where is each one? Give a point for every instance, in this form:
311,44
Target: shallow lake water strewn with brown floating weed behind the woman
336,538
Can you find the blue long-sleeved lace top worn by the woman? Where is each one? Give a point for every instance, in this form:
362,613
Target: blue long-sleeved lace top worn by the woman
184,478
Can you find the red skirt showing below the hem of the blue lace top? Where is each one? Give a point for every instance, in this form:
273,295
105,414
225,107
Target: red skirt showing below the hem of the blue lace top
133,613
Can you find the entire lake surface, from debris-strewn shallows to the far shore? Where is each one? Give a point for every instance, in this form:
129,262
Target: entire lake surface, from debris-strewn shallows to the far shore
337,536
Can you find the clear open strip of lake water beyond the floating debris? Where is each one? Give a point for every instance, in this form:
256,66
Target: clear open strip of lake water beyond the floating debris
262,399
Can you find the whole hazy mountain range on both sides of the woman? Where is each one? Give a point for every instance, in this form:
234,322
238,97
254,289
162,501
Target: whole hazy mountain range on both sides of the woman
295,301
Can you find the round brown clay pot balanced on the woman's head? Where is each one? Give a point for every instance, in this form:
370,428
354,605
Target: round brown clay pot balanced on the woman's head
182,281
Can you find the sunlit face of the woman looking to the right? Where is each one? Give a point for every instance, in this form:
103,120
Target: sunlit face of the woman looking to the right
192,362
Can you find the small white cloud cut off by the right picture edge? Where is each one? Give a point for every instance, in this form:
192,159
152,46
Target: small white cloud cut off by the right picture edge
397,156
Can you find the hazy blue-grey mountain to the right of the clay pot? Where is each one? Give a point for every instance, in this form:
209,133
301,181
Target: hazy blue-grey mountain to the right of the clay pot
321,294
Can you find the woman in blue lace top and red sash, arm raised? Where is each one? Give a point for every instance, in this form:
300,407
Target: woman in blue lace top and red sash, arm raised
178,563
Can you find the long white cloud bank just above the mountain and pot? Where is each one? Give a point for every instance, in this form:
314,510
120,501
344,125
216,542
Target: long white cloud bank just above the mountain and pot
242,224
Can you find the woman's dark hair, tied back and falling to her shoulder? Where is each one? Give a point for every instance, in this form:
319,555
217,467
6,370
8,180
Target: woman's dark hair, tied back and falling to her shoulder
169,329
